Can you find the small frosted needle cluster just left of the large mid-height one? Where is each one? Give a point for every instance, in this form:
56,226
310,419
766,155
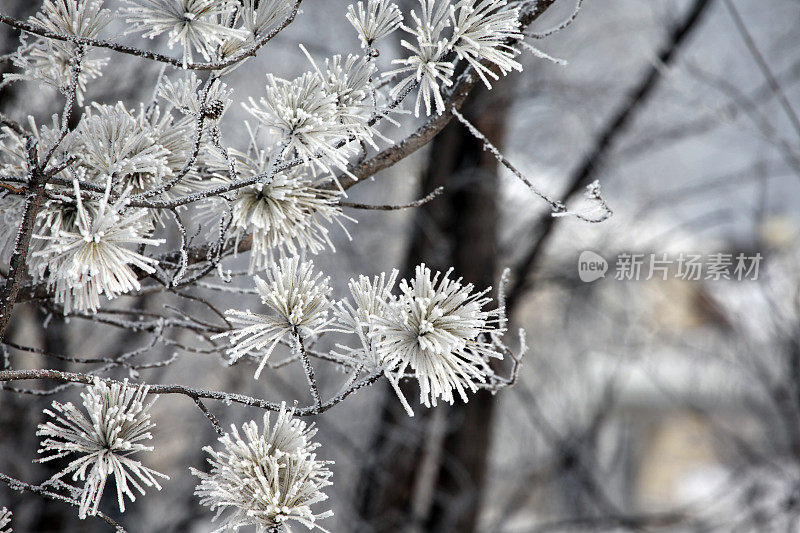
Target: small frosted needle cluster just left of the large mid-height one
298,304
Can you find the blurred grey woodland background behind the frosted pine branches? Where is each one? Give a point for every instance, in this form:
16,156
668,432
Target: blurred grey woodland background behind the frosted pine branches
643,405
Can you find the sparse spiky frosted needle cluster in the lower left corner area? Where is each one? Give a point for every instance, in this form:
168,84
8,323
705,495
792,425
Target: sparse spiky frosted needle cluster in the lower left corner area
118,421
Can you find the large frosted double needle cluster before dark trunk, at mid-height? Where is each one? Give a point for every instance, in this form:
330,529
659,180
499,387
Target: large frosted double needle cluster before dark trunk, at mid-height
436,331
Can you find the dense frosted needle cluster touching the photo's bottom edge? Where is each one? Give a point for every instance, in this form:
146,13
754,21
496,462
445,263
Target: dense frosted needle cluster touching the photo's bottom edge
265,479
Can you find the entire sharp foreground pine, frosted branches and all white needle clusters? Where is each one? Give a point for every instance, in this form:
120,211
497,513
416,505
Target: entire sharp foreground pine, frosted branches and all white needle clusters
89,197
